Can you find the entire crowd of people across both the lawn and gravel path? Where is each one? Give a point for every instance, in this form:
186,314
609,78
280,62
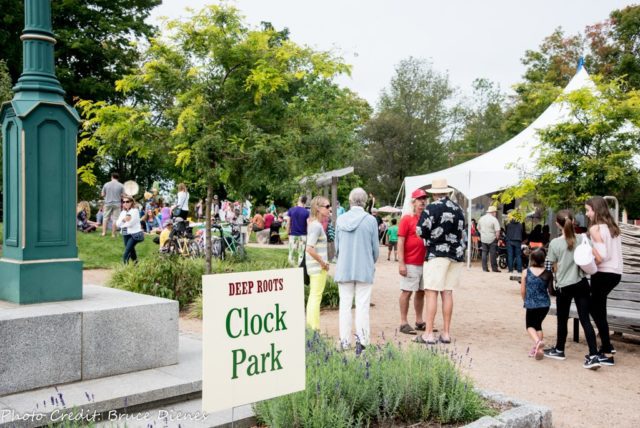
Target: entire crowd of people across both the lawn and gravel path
429,245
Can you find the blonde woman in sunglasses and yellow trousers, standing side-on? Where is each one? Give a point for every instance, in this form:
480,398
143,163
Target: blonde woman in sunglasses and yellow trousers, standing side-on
316,258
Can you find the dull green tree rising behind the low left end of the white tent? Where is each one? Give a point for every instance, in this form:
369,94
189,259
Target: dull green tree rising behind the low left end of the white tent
407,134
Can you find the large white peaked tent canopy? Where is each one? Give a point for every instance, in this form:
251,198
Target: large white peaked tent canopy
505,165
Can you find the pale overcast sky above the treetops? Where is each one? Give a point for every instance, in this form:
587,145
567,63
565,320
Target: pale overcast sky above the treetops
467,39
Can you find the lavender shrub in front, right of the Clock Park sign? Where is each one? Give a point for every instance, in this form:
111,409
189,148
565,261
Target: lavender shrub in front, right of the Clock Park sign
384,385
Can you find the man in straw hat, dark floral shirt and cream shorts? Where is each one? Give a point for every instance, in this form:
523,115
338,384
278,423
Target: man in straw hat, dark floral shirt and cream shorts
441,225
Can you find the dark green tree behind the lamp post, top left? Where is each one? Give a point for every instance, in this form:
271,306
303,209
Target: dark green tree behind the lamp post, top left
94,42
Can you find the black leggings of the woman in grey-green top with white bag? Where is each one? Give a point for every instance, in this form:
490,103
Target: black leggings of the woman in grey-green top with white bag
580,293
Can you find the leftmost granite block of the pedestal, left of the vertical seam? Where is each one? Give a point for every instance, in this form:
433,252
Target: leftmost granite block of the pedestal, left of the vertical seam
37,350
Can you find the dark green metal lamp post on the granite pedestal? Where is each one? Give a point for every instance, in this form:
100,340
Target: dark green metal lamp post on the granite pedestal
39,252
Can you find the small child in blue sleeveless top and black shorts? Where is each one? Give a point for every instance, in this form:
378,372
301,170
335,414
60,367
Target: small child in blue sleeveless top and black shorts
535,294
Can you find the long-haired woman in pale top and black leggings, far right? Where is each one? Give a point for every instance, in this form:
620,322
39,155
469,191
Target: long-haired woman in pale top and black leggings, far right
607,250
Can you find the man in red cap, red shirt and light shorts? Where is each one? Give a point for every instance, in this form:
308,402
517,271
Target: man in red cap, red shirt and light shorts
411,254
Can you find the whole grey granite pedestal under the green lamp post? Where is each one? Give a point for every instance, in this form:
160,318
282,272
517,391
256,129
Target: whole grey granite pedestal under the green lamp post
108,332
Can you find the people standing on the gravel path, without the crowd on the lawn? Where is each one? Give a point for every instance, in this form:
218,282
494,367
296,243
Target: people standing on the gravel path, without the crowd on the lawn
429,244
